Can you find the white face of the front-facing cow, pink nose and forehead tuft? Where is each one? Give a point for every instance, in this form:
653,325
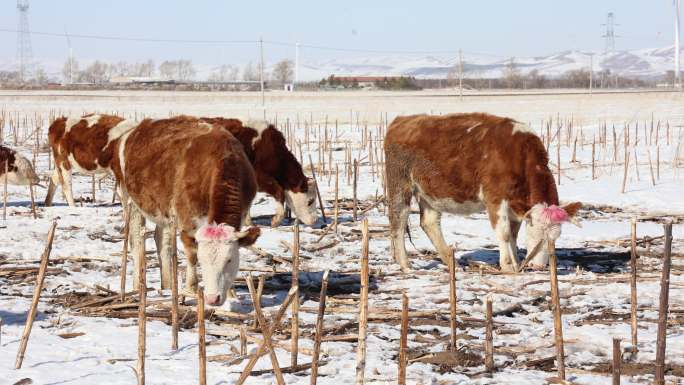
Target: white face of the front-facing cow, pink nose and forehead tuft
219,258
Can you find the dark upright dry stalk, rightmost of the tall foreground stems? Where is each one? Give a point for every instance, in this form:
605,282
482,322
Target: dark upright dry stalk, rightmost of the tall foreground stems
663,308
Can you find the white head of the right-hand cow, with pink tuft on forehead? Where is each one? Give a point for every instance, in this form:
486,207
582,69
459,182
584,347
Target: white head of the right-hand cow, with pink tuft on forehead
543,224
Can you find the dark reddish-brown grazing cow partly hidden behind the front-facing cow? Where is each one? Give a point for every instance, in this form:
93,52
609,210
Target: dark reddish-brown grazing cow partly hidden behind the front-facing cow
278,172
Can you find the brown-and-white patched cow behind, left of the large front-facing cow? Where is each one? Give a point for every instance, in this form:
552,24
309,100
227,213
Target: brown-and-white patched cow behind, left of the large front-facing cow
86,144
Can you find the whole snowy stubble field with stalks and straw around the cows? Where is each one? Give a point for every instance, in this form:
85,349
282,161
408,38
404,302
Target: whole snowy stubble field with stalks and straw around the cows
620,154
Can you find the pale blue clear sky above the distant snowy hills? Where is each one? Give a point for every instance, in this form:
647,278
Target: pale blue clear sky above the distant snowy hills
500,28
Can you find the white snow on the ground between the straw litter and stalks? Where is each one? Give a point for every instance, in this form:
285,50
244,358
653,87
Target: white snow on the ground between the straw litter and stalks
594,280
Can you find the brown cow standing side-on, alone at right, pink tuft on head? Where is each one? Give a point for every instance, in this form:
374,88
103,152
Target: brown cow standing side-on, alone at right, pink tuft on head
464,163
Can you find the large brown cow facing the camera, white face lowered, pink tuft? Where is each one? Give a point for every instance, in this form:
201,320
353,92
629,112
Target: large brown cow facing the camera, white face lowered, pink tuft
197,174
